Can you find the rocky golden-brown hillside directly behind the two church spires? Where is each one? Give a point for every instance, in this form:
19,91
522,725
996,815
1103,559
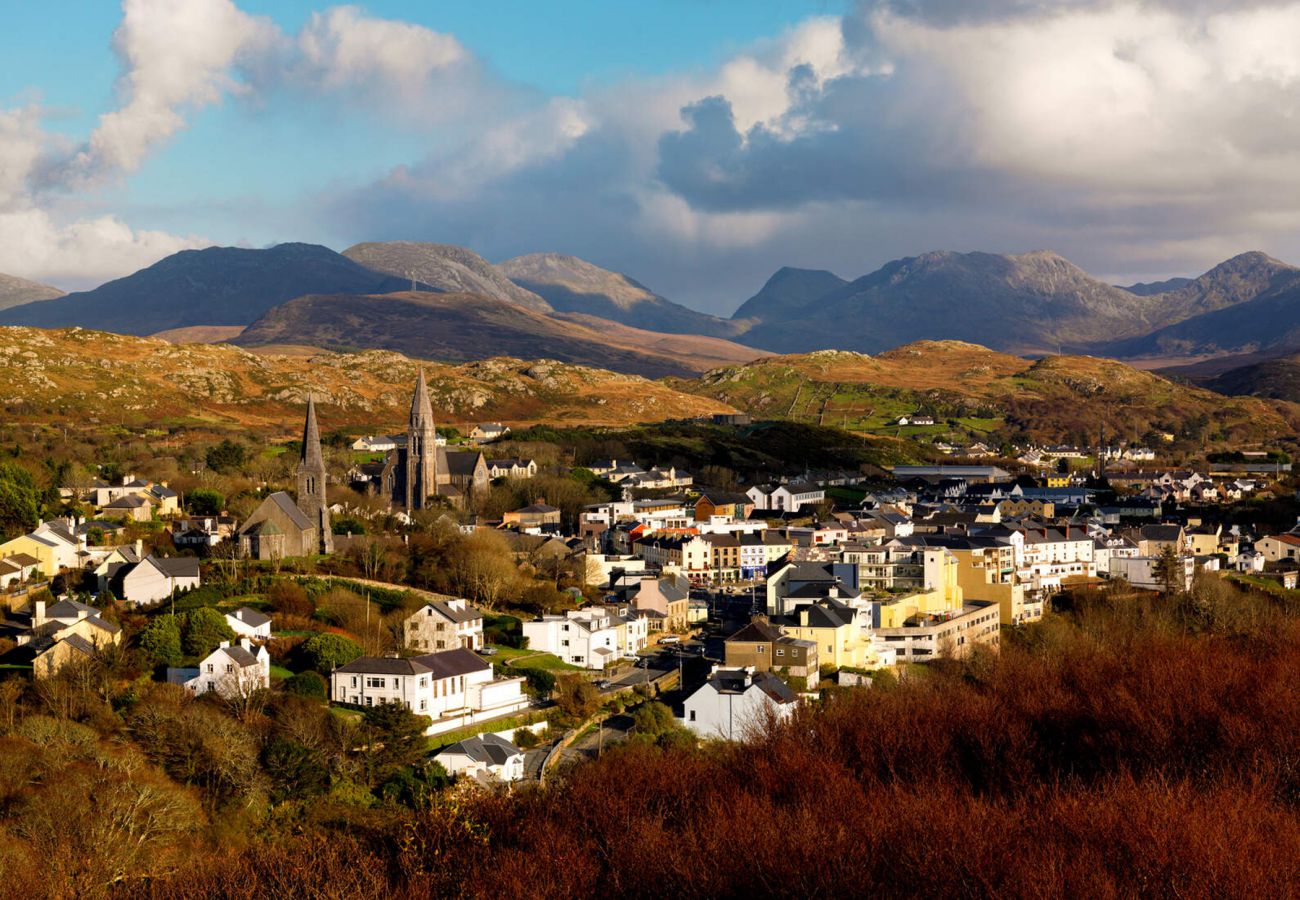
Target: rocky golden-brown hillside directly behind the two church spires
81,375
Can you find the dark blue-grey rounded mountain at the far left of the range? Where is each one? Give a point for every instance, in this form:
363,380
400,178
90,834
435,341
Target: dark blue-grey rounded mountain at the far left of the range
213,287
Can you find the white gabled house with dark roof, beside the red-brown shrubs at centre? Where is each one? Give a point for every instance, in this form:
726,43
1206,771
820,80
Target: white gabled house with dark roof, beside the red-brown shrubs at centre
736,703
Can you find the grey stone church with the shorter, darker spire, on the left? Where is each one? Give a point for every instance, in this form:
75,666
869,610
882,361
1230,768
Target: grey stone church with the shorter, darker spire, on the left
283,527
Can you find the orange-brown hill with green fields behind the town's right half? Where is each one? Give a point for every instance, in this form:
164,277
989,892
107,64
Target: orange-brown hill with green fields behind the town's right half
982,391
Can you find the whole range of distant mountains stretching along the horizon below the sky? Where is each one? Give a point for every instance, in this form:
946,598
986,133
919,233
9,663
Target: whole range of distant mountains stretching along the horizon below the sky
561,306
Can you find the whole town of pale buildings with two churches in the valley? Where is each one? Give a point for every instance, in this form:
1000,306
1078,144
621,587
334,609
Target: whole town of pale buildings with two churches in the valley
502,643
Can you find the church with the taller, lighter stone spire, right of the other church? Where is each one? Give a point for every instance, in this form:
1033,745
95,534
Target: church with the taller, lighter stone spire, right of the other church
426,475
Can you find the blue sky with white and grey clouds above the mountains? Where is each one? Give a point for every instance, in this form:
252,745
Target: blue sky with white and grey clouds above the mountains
695,145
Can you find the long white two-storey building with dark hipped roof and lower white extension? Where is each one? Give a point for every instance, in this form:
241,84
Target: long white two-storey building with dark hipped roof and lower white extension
454,689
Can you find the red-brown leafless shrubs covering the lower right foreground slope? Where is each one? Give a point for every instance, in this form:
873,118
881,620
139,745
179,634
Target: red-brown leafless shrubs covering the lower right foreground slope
1164,764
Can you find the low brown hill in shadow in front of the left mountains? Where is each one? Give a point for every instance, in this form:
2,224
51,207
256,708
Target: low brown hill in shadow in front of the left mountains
460,327
